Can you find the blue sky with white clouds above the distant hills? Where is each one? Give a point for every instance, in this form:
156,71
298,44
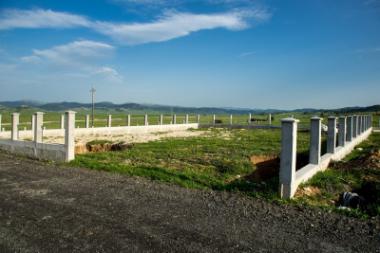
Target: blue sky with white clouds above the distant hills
215,53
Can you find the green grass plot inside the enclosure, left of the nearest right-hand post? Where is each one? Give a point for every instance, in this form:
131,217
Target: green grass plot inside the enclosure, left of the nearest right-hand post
219,161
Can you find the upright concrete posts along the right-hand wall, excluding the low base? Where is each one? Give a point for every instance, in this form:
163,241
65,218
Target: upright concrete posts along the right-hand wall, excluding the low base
348,129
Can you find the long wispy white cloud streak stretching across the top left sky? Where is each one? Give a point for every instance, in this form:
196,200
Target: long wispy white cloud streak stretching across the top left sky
170,25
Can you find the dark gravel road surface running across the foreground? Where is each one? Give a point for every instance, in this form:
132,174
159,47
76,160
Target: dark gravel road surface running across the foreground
45,207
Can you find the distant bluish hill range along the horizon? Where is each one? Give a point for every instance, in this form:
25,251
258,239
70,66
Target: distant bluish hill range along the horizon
62,106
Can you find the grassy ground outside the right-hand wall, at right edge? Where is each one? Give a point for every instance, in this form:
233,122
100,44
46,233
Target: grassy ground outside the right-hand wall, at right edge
359,172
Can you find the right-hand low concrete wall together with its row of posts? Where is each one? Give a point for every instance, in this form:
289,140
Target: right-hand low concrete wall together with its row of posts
289,178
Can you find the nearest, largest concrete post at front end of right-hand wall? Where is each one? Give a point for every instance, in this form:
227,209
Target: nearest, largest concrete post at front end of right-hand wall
288,157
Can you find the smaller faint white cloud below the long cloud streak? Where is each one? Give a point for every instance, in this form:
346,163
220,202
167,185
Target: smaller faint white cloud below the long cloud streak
70,53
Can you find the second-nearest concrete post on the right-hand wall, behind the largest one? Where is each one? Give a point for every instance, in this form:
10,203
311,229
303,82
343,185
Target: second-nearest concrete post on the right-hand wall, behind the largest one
315,140
